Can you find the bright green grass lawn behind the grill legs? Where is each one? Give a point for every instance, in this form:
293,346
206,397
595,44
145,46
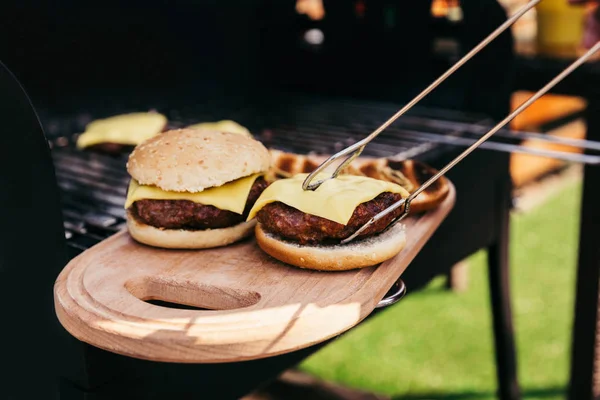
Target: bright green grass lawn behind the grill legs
437,344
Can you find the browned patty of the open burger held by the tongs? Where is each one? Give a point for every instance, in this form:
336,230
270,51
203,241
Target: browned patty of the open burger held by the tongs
290,223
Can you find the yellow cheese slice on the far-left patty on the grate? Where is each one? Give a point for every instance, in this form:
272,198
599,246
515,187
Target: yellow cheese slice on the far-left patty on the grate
127,129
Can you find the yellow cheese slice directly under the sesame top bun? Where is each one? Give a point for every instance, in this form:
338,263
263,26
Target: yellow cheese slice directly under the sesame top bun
231,196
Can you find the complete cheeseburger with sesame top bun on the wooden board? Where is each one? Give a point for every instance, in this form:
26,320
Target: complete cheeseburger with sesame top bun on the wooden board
194,188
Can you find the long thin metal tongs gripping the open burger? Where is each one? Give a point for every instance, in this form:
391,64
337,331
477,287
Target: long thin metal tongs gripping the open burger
356,149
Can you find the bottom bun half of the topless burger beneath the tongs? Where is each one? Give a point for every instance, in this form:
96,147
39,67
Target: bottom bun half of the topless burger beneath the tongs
359,254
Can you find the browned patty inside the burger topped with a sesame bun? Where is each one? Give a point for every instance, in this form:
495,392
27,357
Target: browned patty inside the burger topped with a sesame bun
185,214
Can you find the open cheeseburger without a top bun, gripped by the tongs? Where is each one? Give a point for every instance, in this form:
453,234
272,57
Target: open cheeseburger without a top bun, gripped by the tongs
305,228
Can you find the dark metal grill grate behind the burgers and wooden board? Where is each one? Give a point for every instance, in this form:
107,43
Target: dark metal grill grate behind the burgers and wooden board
93,186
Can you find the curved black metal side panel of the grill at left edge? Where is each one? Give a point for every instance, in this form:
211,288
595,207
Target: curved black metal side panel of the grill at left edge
32,253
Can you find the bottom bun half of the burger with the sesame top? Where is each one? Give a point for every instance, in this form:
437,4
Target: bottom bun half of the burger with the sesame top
184,239
